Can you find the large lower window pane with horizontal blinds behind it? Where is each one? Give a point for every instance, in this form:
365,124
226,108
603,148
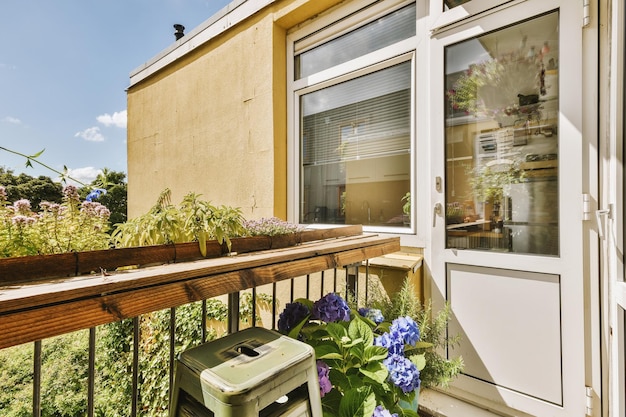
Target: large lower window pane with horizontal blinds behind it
355,142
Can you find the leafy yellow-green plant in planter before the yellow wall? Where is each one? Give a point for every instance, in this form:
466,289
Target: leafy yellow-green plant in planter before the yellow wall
193,220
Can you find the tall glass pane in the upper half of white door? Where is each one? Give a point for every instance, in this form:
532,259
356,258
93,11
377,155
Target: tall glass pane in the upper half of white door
502,106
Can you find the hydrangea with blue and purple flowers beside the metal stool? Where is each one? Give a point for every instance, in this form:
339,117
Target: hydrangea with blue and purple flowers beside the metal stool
367,365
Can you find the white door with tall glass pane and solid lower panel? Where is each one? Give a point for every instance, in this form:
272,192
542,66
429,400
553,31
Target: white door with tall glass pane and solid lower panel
507,231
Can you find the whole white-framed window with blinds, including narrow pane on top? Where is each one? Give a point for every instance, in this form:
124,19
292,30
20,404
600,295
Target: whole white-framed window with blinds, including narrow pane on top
353,124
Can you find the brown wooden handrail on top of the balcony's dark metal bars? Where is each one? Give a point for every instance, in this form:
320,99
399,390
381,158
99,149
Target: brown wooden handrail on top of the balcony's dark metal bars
35,312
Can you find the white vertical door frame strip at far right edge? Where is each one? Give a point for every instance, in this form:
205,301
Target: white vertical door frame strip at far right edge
610,216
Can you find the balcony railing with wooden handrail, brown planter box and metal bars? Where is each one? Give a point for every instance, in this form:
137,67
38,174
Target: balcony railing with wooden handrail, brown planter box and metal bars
90,290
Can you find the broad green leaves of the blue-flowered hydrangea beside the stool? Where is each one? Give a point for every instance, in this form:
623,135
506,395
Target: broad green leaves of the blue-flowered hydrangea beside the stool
360,379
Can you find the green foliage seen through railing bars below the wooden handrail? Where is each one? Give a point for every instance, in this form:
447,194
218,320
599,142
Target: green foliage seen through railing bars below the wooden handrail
65,364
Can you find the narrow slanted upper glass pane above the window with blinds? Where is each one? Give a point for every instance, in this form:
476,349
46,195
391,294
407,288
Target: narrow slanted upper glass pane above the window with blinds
382,32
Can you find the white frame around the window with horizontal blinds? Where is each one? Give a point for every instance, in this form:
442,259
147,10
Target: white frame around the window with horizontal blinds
324,28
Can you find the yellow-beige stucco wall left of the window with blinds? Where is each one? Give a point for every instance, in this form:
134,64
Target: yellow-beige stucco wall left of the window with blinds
214,122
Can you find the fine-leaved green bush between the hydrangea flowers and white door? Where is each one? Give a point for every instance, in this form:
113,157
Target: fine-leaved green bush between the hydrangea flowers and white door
438,370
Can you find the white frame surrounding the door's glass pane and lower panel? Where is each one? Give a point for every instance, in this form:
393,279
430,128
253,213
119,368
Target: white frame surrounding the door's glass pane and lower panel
576,295
